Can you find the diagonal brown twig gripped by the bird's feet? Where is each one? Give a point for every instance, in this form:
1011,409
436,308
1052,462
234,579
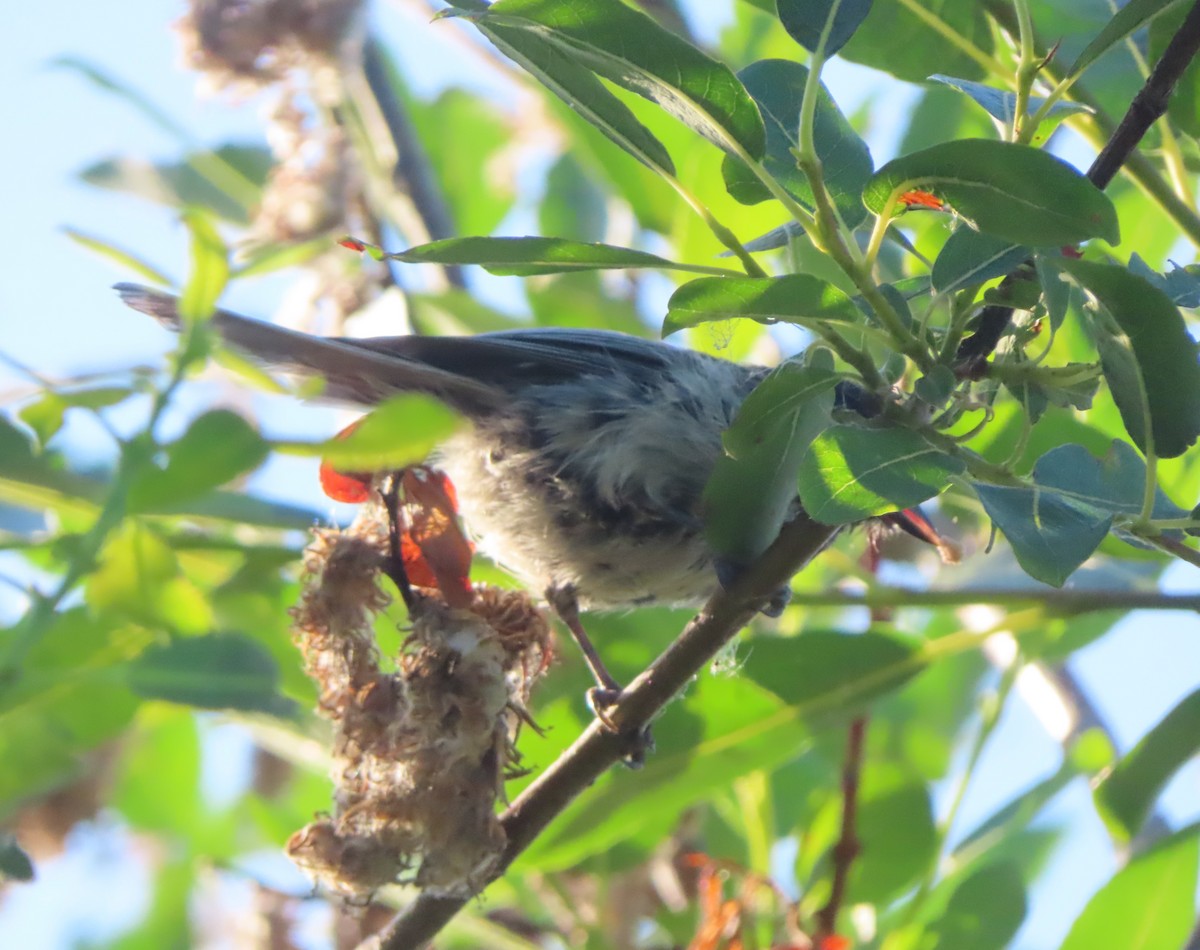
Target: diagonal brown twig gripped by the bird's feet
599,748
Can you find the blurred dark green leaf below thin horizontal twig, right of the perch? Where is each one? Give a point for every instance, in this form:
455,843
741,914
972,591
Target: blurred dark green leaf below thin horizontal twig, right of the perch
832,675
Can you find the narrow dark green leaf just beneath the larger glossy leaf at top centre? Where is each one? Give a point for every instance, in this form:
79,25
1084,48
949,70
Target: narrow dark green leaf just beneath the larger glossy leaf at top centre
563,76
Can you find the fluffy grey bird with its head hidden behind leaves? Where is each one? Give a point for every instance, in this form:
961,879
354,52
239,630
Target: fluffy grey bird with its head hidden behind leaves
590,450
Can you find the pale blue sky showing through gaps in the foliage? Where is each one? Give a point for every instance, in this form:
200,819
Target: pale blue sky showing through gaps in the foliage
58,316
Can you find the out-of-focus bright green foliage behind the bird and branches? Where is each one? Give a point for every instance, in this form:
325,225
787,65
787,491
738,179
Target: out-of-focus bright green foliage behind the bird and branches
148,648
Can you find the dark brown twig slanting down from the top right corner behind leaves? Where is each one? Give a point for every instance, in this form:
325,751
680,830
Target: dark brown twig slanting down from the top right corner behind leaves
1147,109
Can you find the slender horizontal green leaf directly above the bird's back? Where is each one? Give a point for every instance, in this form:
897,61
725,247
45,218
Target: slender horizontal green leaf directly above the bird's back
525,257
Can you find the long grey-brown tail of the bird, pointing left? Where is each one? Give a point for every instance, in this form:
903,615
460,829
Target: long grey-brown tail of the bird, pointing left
352,372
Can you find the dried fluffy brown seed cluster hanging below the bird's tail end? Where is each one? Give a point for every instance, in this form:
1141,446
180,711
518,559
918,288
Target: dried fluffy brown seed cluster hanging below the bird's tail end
421,754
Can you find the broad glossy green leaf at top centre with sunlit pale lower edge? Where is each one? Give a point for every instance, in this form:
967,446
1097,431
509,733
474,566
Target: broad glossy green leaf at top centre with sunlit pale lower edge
629,49
